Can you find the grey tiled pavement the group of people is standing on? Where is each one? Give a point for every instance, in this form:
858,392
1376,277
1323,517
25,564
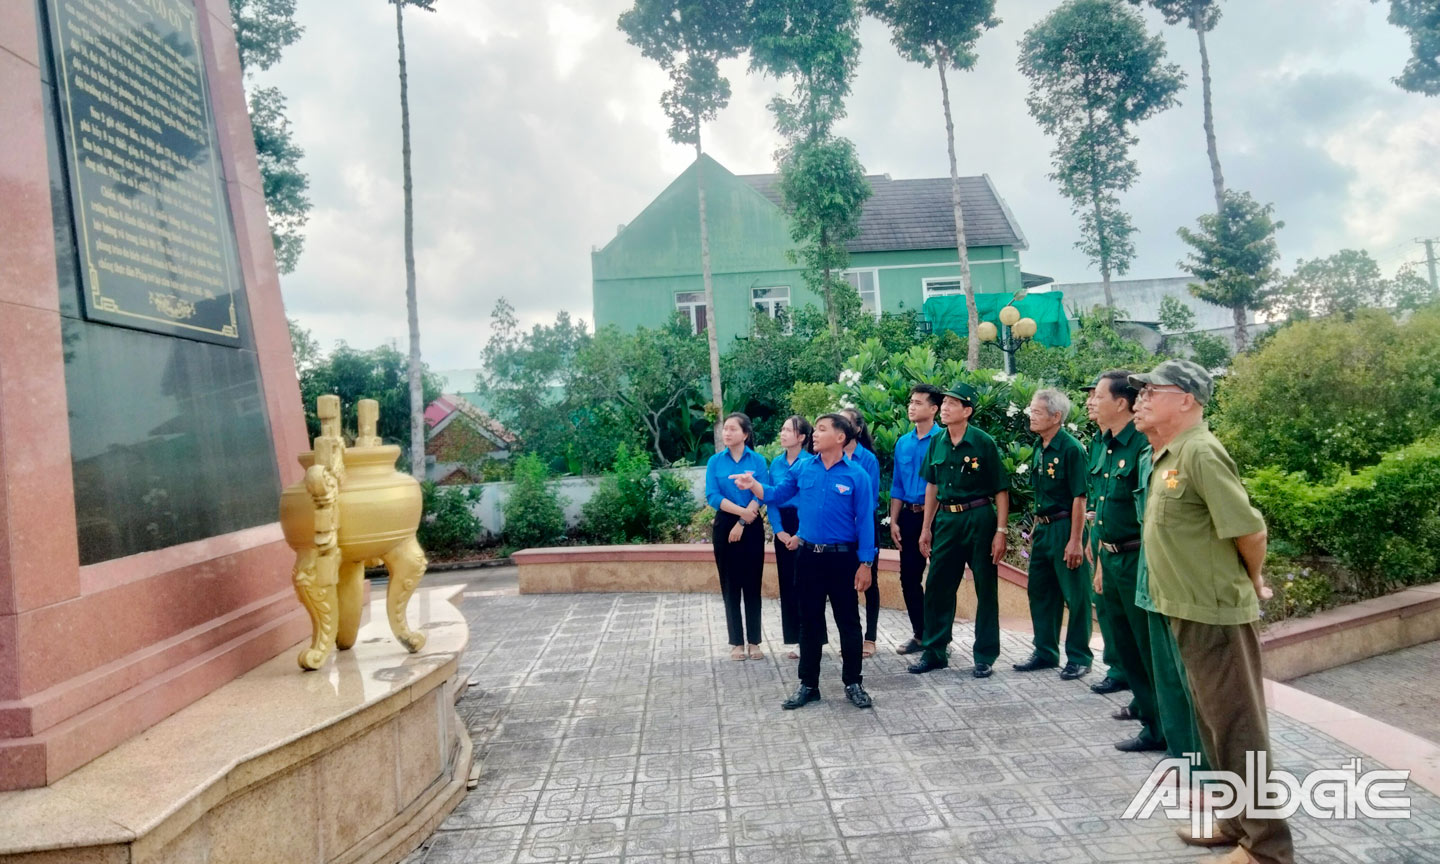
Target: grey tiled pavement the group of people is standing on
614,728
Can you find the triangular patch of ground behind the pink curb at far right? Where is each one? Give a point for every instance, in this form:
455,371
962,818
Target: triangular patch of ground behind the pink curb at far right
1399,689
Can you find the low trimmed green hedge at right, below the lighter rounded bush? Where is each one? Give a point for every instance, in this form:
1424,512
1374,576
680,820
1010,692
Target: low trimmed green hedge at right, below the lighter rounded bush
1380,522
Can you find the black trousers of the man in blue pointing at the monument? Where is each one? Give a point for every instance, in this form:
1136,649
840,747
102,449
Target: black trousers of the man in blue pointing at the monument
829,577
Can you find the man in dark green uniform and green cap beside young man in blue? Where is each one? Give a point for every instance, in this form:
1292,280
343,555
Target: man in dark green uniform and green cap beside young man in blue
967,506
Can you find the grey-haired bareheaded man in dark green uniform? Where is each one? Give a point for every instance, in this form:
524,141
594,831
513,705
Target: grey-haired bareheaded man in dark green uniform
1059,574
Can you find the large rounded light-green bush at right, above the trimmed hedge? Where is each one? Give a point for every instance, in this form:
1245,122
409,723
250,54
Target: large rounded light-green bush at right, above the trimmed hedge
1324,397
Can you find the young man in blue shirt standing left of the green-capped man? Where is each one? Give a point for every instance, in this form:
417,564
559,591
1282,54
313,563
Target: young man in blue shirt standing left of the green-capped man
908,505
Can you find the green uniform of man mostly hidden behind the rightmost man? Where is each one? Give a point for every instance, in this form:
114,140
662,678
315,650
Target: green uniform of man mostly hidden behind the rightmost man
1173,702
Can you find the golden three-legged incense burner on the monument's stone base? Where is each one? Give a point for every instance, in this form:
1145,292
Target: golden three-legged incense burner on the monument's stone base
352,508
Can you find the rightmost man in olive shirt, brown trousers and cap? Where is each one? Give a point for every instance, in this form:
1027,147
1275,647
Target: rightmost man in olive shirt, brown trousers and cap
1205,545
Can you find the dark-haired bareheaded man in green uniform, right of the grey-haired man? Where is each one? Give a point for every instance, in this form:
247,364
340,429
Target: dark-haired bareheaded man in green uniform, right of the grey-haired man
1118,551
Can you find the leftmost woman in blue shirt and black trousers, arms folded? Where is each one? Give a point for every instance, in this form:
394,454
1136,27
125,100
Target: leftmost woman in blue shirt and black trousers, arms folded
738,535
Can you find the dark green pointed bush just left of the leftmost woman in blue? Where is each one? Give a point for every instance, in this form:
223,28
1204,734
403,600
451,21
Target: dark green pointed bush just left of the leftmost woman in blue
636,506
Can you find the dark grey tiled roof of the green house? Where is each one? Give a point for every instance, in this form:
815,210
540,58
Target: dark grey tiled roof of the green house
919,214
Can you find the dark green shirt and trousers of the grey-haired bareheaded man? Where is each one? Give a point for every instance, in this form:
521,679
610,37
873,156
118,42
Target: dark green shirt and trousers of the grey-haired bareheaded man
1059,477
